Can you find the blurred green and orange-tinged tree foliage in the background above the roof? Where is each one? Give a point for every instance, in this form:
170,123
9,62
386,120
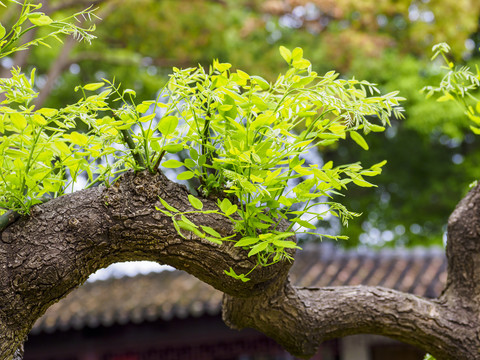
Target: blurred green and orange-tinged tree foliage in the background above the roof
432,157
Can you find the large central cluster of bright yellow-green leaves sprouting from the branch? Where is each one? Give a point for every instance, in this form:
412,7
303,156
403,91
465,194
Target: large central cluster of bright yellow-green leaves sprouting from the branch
249,139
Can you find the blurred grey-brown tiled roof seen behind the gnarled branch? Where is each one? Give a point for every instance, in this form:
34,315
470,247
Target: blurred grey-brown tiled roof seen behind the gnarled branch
176,294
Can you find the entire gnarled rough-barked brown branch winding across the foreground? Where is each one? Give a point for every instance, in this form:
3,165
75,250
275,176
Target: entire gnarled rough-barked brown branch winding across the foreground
47,254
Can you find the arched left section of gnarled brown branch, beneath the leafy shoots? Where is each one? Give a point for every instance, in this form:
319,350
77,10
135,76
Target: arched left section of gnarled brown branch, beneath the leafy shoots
49,253
